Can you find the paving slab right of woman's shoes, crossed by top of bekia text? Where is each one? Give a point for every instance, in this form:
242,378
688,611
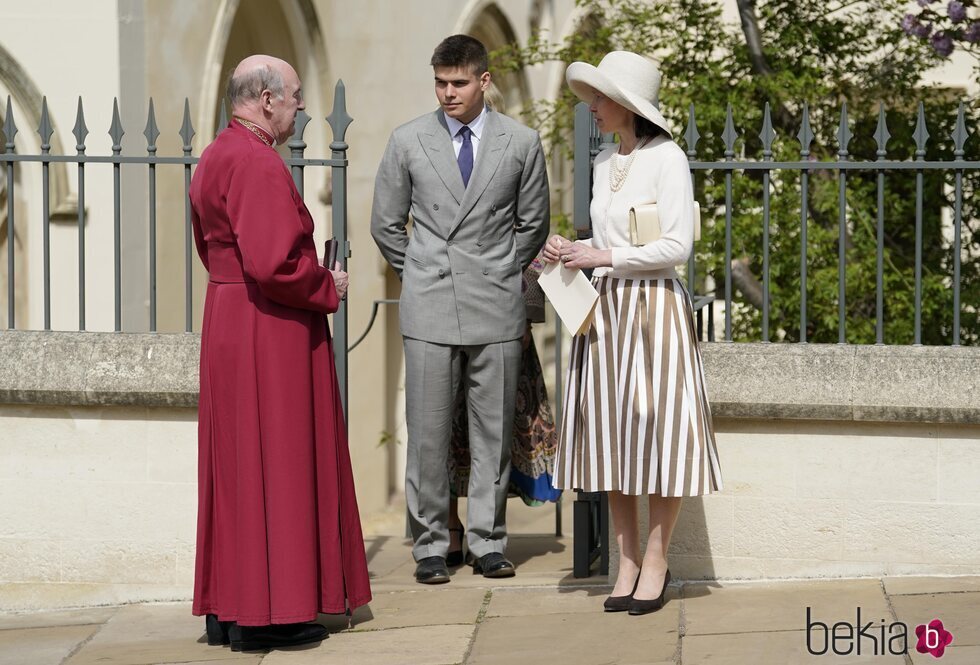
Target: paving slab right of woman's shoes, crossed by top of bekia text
747,608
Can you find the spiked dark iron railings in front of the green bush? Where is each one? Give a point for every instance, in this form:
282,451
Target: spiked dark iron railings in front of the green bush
786,186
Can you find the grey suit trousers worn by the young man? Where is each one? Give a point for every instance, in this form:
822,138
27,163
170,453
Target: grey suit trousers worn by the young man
434,374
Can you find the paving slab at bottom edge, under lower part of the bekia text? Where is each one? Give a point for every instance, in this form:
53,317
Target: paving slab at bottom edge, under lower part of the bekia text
770,648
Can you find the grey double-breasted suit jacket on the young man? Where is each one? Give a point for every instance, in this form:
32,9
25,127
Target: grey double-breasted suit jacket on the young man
461,264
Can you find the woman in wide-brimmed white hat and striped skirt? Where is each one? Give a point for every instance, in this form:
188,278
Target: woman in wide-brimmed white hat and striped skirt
636,418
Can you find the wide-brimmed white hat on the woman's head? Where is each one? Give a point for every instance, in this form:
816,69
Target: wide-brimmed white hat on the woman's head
628,79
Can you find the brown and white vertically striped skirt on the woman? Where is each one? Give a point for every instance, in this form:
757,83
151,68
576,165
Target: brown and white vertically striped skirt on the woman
636,417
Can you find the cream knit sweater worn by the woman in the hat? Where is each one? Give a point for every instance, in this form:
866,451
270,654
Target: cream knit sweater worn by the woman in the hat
659,174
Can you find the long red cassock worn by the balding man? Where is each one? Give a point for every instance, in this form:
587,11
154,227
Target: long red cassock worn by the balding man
279,536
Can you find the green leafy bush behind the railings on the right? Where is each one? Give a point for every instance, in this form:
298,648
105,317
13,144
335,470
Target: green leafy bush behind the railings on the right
825,54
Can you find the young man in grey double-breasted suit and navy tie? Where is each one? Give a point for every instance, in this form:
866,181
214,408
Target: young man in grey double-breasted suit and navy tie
475,184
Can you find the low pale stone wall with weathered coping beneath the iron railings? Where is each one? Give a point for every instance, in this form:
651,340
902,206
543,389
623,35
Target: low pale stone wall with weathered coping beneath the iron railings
837,461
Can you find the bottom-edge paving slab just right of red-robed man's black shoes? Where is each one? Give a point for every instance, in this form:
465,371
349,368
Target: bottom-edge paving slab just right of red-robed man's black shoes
420,645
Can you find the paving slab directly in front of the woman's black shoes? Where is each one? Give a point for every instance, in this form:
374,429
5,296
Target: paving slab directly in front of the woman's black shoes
580,638
